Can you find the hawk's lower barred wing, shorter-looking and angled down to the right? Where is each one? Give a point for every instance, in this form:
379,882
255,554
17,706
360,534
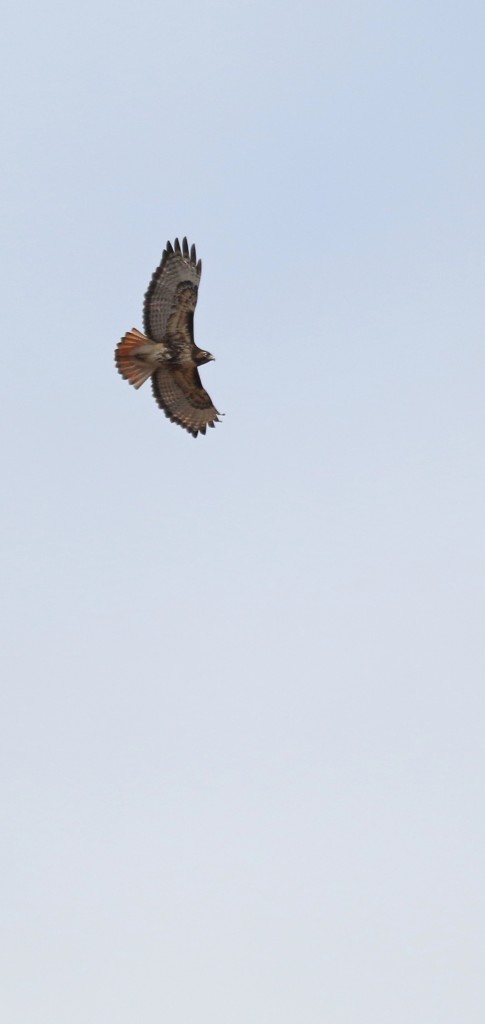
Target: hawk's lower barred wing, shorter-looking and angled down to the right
180,393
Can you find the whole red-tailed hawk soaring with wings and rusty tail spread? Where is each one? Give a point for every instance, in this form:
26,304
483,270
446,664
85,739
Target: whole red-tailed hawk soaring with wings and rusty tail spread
167,352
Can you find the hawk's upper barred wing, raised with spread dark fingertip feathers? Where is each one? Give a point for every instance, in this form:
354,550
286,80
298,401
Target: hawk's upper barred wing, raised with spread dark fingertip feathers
172,296
